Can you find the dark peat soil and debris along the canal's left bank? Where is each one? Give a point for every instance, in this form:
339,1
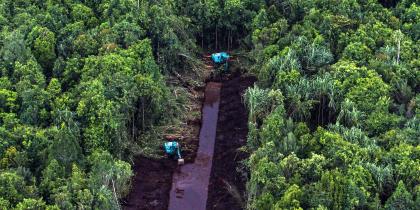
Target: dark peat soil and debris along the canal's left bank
152,179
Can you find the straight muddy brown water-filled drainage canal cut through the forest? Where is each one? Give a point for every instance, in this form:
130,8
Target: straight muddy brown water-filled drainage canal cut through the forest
190,182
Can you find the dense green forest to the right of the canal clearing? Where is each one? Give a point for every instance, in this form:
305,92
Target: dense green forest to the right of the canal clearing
335,119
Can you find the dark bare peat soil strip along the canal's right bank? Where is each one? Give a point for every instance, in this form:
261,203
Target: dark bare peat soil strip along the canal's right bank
227,185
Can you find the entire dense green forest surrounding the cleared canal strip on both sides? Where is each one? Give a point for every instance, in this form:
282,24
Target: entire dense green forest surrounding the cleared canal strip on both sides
334,119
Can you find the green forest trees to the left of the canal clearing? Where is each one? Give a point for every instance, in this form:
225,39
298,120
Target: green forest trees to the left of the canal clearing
81,83
